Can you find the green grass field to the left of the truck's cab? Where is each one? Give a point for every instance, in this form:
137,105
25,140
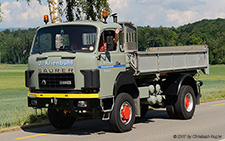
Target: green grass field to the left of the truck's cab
13,98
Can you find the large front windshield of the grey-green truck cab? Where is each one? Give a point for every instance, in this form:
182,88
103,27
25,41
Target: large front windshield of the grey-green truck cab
72,38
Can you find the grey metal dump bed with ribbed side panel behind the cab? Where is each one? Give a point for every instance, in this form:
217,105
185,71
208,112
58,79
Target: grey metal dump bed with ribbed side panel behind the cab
170,59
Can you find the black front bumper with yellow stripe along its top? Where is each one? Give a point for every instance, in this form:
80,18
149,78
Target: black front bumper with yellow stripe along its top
61,101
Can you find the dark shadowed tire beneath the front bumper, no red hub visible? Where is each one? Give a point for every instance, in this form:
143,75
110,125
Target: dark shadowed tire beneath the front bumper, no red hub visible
60,120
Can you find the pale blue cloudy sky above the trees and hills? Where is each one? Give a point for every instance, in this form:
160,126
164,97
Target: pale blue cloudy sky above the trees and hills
155,13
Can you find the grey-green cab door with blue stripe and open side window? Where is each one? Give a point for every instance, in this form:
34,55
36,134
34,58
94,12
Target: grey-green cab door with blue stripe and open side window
111,62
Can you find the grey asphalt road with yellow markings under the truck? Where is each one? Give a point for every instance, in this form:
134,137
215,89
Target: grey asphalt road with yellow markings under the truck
208,124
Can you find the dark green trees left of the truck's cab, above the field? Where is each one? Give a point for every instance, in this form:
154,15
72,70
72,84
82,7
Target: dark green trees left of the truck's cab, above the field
13,43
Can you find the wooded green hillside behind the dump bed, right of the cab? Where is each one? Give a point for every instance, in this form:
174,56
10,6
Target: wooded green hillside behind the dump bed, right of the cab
205,32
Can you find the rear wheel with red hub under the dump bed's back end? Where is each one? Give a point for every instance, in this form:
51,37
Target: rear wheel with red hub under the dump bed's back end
186,101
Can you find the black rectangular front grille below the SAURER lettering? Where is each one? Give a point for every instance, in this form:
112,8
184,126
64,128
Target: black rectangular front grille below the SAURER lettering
56,80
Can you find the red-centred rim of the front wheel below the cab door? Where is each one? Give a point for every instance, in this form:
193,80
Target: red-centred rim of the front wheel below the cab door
125,112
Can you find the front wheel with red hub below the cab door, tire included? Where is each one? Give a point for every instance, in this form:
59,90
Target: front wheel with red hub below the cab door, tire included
123,115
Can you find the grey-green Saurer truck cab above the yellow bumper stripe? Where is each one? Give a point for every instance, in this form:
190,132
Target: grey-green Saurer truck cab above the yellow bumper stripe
67,57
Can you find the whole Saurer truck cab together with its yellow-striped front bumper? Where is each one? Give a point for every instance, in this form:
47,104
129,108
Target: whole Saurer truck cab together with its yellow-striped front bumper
67,65
